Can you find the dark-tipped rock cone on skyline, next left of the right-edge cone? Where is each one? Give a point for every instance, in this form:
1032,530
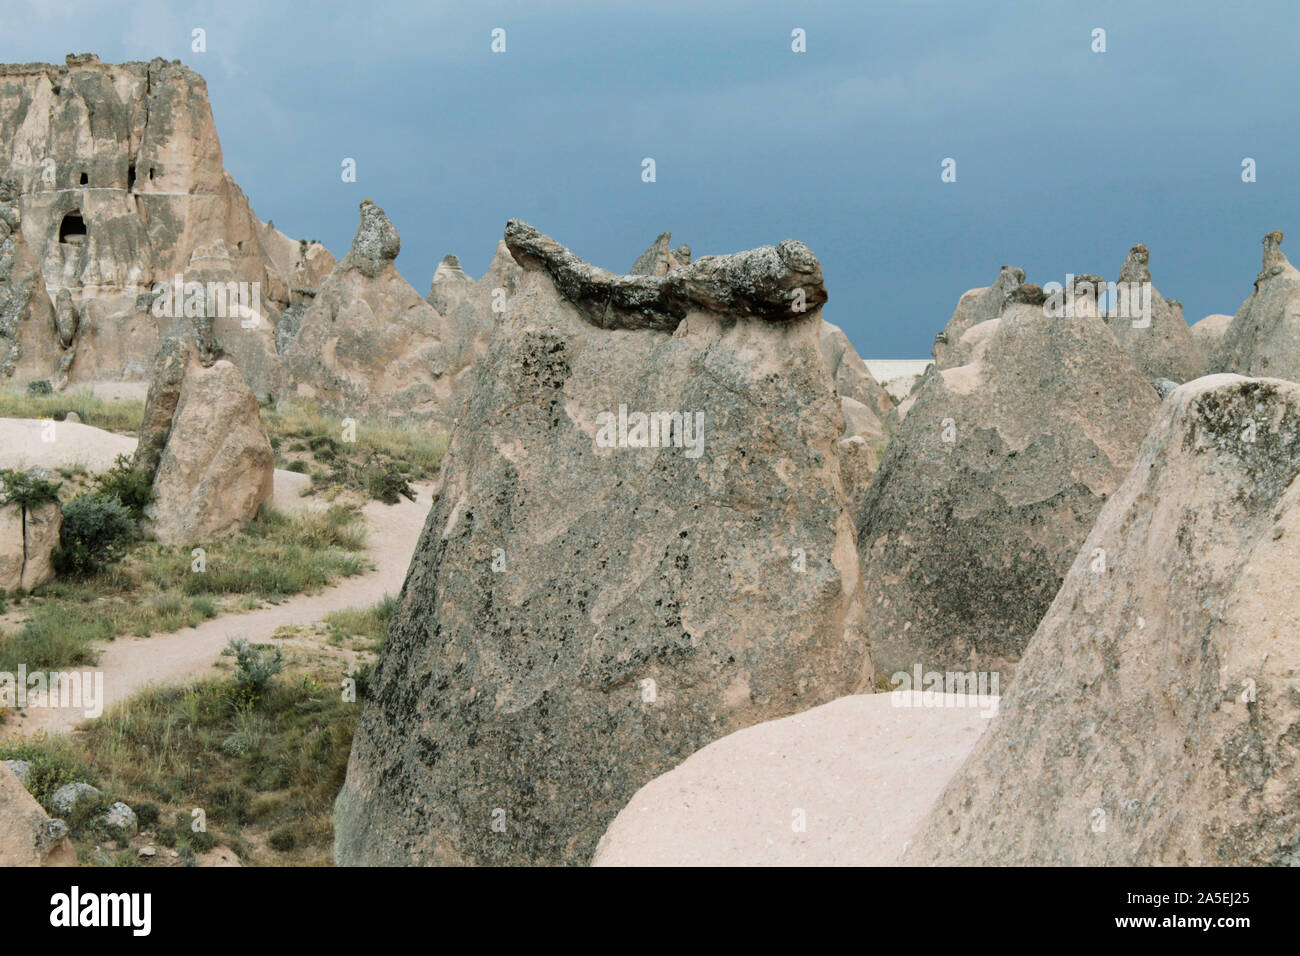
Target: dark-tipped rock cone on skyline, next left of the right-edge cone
1162,345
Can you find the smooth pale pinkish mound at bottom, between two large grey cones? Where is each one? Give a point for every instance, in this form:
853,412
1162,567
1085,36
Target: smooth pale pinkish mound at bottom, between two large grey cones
860,773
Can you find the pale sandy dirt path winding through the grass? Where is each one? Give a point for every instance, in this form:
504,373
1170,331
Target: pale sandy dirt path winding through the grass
132,664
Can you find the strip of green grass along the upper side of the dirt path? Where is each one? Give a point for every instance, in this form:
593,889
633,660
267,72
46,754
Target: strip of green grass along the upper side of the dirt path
157,591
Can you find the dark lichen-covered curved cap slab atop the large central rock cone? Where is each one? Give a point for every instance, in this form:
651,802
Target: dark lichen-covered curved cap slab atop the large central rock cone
775,283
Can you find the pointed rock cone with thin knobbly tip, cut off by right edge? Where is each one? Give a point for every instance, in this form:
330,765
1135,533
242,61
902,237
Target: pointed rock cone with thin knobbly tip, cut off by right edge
1264,338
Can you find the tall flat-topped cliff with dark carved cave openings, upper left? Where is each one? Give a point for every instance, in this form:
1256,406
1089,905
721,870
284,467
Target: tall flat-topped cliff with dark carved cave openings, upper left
119,179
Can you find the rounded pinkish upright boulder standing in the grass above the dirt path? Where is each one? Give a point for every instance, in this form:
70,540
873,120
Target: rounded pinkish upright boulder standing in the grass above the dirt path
216,468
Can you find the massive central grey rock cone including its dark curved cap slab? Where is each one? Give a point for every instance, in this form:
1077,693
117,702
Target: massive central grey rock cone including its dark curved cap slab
643,544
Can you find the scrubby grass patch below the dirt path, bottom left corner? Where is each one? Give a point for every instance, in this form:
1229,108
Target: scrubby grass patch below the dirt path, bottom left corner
262,775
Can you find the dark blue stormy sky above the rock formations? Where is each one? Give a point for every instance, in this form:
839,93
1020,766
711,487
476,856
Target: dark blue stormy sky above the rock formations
1065,158
